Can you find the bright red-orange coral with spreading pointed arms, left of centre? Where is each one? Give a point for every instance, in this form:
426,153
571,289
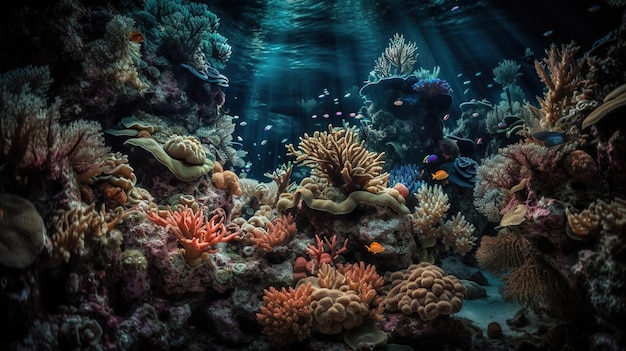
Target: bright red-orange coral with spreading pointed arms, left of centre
197,235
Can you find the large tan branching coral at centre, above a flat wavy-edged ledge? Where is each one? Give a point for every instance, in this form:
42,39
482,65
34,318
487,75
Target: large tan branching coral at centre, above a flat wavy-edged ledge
337,156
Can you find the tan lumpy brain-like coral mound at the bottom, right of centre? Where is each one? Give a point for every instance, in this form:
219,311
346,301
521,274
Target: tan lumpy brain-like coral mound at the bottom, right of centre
424,289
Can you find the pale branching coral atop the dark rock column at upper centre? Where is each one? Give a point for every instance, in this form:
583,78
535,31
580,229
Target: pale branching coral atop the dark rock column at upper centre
398,58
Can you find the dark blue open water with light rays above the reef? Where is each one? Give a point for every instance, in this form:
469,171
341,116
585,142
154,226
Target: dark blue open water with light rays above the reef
285,51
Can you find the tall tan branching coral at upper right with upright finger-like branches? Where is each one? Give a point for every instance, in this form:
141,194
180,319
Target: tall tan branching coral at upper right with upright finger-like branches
560,72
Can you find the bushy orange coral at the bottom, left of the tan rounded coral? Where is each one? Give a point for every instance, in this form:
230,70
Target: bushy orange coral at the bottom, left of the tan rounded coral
285,314
